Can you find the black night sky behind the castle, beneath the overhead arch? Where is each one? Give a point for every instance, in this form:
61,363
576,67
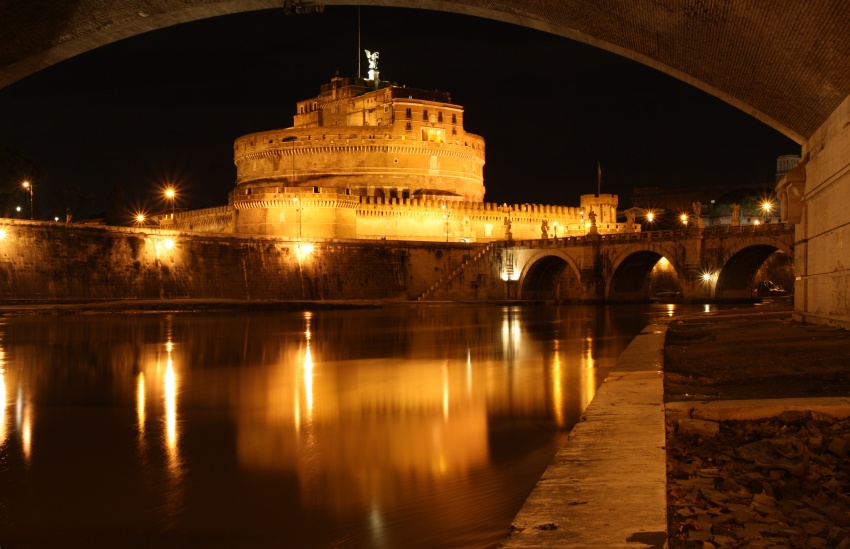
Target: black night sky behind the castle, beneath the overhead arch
165,107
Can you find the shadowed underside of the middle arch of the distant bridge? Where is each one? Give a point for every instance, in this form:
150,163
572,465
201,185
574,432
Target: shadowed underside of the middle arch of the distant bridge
631,269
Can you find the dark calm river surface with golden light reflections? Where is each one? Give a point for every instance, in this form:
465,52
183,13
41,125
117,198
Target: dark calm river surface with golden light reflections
399,427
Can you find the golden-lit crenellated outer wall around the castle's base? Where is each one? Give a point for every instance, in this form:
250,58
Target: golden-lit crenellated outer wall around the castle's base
297,212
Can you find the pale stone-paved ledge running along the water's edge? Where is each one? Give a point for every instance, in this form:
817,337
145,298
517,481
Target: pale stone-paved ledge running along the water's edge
607,485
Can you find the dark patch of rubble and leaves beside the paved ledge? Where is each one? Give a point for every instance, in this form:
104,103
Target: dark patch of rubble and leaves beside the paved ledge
781,482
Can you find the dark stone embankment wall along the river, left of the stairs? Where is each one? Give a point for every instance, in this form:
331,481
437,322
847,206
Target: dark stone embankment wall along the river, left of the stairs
58,261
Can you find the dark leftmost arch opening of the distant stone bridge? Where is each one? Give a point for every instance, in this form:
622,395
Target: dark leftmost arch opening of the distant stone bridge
550,275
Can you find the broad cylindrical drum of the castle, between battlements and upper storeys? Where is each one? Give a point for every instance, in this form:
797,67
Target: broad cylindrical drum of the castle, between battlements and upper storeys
367,161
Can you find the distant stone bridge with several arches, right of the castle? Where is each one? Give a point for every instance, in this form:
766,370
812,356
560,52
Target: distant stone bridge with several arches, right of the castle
715,263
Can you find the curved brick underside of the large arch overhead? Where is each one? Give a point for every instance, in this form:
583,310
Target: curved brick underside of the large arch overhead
782,62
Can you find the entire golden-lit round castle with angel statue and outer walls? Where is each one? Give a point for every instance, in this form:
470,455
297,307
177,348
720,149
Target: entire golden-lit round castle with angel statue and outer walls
370,159
